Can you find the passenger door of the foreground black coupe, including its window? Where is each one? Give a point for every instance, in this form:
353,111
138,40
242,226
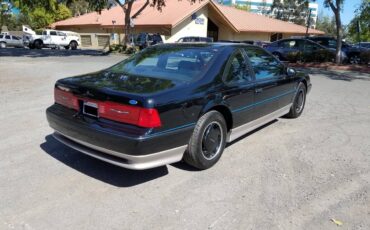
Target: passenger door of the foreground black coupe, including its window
273,89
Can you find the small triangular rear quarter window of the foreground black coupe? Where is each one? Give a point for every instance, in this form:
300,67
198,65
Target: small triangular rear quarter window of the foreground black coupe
236,71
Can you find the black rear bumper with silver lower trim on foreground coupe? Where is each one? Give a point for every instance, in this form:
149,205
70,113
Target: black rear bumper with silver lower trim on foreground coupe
123,146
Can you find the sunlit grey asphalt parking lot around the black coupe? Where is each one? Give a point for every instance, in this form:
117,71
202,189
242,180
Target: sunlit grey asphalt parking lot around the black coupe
290,174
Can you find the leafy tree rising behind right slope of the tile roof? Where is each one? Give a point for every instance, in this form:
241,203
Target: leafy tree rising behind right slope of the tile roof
295,11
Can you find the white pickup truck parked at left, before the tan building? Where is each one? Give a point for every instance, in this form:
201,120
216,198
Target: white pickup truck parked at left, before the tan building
51,39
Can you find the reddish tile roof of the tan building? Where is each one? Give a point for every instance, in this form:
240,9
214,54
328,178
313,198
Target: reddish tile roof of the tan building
176,11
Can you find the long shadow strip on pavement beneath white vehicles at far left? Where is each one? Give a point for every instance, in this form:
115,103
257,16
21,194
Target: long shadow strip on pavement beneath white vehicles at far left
35,53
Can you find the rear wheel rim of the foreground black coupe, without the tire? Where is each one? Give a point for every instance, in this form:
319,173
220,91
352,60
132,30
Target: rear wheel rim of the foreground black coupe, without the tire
212,139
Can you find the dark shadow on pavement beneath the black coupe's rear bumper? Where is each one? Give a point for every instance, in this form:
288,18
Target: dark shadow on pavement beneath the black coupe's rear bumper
100,170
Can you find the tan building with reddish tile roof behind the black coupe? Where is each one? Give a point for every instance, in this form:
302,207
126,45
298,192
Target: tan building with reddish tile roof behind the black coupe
181,18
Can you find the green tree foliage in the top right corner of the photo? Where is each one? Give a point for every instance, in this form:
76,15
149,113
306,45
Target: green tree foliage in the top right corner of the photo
360,23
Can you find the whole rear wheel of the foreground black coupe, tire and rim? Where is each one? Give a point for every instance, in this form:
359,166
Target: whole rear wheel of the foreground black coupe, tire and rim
207,142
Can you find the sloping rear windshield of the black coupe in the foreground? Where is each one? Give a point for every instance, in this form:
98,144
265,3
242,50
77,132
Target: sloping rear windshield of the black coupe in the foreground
174,63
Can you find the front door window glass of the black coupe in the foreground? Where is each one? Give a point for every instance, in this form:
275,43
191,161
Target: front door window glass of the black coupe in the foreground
264,64
